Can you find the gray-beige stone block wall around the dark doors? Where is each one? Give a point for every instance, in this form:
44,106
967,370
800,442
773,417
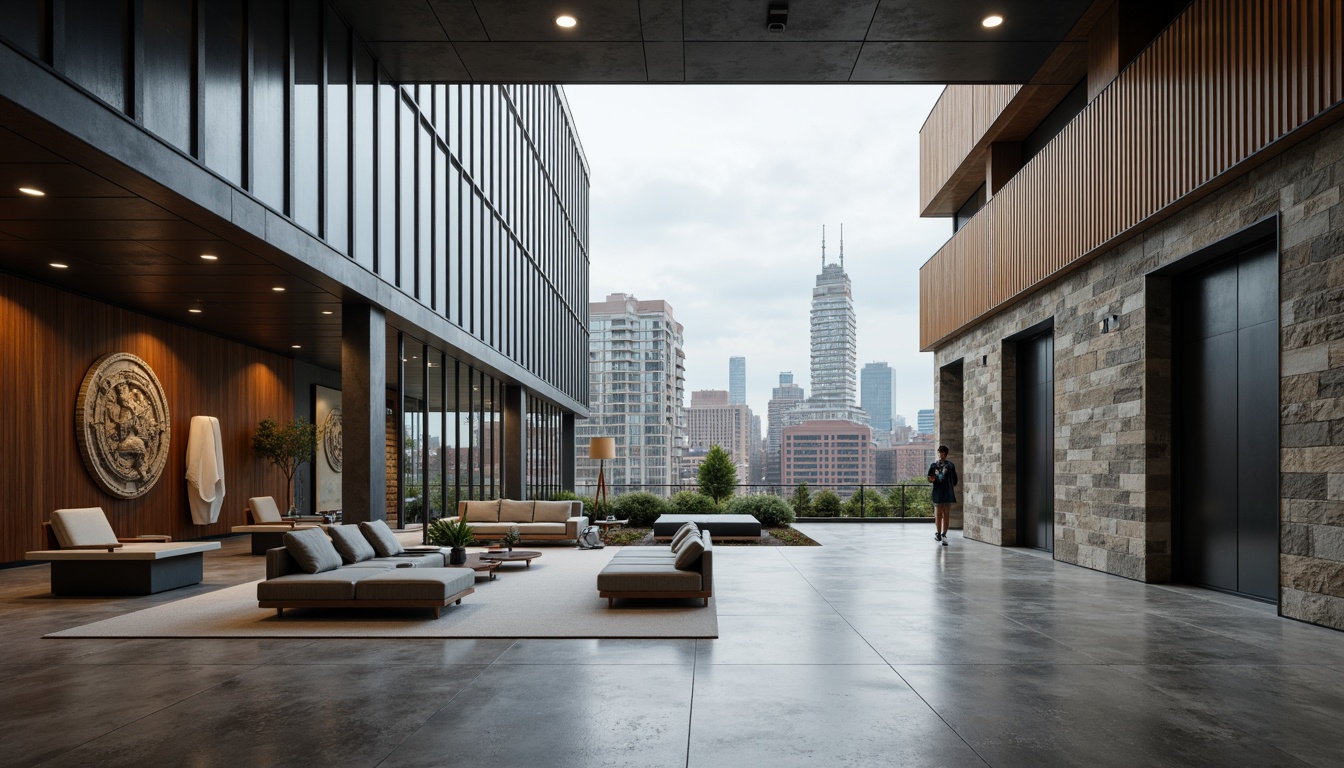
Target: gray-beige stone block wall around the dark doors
1112,391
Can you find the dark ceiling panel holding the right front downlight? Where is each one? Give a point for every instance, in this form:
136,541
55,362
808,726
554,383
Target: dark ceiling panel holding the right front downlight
948,21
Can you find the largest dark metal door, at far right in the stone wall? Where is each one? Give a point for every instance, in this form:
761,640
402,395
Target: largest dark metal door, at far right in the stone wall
1226,418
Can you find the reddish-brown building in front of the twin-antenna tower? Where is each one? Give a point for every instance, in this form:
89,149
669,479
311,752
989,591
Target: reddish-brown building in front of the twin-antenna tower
834,455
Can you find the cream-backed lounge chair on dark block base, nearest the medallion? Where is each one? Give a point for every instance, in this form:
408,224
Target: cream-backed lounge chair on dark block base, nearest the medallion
88,559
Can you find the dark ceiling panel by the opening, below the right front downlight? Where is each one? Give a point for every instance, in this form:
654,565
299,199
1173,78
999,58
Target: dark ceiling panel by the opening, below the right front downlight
950,63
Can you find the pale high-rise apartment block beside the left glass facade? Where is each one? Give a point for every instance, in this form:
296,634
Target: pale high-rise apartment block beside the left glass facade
636,388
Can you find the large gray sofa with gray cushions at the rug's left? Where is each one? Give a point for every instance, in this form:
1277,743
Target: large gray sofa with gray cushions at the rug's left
361,579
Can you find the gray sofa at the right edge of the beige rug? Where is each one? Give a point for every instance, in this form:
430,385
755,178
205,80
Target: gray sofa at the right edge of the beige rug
653,572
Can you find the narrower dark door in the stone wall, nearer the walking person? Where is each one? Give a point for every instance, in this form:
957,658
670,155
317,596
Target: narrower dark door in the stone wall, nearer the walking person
1037,442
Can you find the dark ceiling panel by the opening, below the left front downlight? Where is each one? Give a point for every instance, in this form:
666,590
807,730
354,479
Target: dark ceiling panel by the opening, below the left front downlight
538,63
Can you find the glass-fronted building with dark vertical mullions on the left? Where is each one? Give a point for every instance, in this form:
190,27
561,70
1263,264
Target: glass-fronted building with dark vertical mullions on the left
458,212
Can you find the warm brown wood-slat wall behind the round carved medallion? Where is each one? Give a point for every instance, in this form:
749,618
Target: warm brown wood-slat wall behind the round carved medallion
49,340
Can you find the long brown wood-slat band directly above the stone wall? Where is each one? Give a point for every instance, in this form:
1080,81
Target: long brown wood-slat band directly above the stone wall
1222,84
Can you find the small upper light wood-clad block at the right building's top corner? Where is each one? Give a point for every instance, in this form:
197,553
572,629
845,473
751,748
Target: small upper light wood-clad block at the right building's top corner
959,122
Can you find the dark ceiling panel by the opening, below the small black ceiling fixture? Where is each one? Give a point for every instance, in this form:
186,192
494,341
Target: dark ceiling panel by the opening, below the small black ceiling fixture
771,63
